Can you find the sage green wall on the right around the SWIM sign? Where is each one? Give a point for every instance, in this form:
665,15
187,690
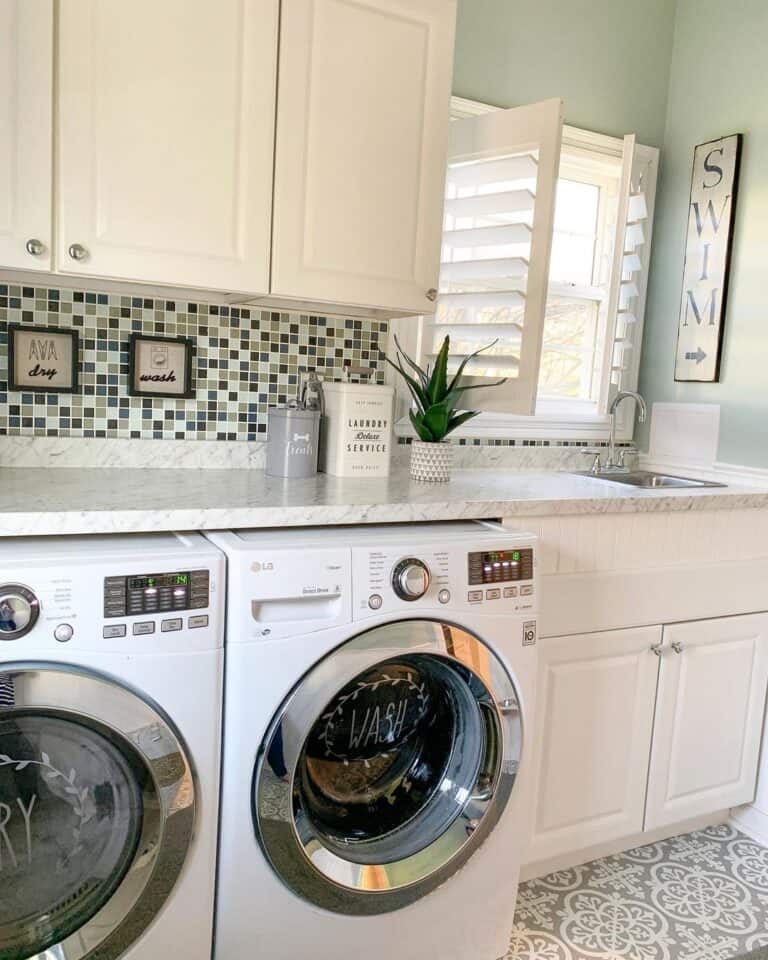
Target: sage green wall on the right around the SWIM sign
718,86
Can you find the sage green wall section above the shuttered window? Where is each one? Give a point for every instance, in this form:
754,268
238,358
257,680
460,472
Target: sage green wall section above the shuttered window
607,59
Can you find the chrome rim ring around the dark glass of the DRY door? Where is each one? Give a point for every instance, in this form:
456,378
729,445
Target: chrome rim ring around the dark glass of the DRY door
169,815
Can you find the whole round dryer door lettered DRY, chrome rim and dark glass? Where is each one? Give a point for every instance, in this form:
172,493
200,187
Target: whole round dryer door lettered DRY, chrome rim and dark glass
83,824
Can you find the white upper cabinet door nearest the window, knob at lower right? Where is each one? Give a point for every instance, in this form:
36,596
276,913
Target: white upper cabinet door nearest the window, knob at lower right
361,146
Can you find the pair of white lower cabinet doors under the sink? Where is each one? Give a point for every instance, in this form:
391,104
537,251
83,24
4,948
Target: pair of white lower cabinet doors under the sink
644,728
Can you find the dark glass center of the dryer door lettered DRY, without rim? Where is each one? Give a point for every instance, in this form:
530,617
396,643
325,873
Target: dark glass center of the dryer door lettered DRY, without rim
71,813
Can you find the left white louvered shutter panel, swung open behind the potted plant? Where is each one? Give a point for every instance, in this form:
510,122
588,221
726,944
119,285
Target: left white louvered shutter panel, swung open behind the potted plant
499,211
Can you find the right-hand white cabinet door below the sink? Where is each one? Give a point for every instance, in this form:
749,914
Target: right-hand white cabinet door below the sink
708,718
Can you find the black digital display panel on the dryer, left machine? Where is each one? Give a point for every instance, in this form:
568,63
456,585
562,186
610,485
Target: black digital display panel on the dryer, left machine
150,593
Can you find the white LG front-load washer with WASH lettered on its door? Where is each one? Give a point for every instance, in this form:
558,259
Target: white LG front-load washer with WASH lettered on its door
379,699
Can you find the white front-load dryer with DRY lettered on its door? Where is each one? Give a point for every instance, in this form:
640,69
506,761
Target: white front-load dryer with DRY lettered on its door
111,662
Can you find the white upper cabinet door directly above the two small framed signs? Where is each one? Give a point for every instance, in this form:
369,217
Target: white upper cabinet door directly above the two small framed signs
165,140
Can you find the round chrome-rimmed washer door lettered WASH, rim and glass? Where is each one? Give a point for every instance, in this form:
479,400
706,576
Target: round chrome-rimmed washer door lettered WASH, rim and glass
387,766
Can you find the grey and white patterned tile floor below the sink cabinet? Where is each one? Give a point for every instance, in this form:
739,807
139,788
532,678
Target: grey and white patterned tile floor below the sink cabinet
700,896
